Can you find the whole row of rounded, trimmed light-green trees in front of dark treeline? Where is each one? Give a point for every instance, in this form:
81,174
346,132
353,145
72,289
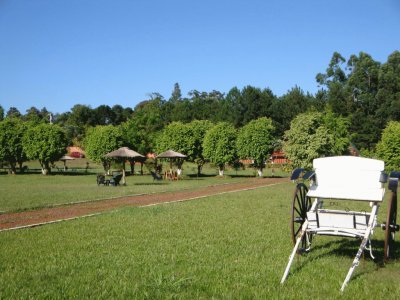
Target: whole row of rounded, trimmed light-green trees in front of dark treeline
311,135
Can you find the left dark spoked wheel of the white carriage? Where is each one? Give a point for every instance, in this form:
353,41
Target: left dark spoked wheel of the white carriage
300,205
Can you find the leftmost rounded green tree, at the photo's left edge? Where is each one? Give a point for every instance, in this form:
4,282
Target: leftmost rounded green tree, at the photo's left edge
11,148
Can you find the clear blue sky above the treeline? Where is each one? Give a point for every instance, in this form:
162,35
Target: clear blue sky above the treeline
58,53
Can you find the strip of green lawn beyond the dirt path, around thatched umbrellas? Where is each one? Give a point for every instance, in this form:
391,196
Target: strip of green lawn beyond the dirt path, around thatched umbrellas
29,191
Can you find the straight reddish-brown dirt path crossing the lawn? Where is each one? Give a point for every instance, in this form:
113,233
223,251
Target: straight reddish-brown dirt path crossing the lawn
67,212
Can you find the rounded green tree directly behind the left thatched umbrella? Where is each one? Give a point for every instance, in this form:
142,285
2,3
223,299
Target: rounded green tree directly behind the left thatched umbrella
101,140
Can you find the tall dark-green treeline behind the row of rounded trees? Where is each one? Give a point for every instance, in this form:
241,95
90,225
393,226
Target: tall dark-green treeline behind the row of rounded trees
360,89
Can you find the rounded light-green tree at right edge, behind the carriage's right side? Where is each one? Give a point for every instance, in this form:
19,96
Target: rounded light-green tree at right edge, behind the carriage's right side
388,147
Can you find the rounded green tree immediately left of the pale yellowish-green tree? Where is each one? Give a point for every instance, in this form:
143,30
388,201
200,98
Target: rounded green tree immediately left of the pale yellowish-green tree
255,141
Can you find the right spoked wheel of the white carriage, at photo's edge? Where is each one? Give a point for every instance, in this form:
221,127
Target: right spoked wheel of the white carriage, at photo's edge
391,227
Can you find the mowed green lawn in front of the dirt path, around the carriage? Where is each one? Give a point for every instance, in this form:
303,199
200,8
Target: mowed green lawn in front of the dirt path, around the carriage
231,246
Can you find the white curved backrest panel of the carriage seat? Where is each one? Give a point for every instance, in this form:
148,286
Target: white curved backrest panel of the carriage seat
348,178
